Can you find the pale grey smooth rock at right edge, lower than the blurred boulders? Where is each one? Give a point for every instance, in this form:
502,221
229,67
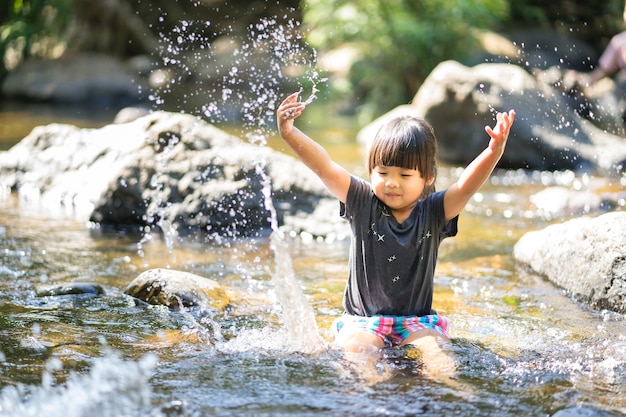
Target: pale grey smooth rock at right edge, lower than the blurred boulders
585,256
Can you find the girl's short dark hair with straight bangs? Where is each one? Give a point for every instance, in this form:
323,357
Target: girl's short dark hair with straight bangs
405,142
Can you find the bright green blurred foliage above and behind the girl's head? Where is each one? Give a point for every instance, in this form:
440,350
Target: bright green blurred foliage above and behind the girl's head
398,42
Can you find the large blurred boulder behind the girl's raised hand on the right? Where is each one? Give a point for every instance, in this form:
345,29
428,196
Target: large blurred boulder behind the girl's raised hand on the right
460,101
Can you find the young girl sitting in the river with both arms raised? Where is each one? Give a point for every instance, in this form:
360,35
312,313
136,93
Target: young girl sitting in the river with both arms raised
397,222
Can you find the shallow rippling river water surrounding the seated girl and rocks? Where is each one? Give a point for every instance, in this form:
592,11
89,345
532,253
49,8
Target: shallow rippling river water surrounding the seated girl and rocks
521,346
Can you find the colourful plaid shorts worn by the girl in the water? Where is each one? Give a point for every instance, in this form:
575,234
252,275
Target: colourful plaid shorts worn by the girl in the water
393,330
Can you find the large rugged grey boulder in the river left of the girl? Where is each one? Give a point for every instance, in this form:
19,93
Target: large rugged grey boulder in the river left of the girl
166,170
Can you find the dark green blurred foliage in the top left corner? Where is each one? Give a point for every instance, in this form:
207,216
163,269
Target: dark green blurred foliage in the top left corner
30,28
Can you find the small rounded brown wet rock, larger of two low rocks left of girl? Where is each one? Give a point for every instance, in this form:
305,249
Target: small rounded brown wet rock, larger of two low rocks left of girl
177,288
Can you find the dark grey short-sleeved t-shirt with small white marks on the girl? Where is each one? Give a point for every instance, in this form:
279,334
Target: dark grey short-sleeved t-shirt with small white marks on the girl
392,265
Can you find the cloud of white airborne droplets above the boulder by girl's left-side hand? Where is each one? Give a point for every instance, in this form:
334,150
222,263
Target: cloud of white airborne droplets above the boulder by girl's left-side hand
242,88
